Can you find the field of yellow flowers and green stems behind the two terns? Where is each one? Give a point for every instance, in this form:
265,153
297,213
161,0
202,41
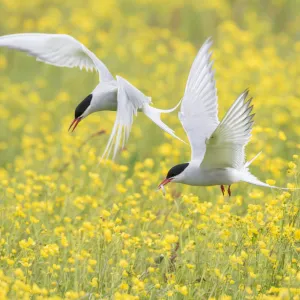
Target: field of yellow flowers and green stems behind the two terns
73,229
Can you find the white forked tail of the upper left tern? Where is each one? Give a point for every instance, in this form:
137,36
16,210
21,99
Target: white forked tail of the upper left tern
154,114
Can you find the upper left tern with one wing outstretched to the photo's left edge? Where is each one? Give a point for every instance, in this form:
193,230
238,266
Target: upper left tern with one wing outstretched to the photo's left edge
110,94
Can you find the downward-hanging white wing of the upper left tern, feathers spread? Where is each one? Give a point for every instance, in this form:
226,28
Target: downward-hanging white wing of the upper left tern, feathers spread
130,99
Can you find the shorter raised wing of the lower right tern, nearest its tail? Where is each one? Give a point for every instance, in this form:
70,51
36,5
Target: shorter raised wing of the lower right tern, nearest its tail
226,146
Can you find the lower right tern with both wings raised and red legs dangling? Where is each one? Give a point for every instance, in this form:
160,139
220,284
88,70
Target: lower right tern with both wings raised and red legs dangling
217,148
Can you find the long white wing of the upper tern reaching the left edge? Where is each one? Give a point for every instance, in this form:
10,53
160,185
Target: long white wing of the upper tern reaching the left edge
60,50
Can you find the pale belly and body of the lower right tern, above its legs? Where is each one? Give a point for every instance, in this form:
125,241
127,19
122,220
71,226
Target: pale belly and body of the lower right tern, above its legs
226,176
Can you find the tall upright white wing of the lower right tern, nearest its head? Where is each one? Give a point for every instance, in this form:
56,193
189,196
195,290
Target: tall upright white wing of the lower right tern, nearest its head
199,108
